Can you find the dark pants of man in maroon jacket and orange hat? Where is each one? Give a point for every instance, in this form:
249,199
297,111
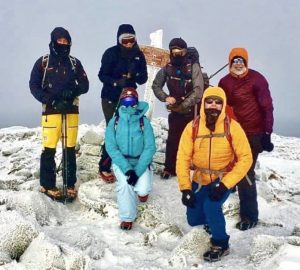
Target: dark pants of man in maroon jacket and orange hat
247,192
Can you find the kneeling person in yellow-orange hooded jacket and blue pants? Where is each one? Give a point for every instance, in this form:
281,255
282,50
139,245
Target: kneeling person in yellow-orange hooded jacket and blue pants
221,156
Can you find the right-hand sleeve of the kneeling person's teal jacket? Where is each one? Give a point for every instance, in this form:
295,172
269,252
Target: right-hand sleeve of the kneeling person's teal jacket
148,151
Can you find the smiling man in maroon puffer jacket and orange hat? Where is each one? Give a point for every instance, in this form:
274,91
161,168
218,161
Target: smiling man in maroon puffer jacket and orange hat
248,94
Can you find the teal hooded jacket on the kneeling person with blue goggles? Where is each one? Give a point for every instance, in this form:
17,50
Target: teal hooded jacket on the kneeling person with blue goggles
130,145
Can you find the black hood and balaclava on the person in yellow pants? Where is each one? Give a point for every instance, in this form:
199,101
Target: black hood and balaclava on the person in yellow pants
60,50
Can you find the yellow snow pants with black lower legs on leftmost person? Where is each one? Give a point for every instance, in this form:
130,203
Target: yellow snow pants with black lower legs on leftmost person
51,133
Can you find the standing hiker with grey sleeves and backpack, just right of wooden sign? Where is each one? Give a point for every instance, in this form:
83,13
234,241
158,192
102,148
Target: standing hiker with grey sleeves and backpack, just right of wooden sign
185,84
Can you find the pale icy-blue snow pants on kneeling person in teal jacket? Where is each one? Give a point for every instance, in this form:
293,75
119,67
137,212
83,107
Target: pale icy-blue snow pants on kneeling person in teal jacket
127,194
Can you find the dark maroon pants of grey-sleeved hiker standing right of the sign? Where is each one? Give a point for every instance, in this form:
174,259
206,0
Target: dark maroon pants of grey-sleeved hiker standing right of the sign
177,123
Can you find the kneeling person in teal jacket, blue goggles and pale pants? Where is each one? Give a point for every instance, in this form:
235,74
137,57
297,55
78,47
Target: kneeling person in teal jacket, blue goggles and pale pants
130,143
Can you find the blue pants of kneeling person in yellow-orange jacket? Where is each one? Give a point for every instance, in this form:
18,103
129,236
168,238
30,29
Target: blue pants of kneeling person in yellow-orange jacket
209,212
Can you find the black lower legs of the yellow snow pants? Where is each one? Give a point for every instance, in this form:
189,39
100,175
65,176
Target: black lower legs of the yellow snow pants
48,168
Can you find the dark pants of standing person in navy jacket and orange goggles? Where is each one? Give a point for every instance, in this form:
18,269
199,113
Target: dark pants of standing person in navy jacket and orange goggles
109,109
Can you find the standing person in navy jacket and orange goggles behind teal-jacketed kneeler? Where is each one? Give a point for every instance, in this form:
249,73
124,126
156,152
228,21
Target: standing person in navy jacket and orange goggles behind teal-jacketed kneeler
122,65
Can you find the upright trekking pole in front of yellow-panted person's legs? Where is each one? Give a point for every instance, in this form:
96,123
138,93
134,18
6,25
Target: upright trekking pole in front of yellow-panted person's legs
64,128
